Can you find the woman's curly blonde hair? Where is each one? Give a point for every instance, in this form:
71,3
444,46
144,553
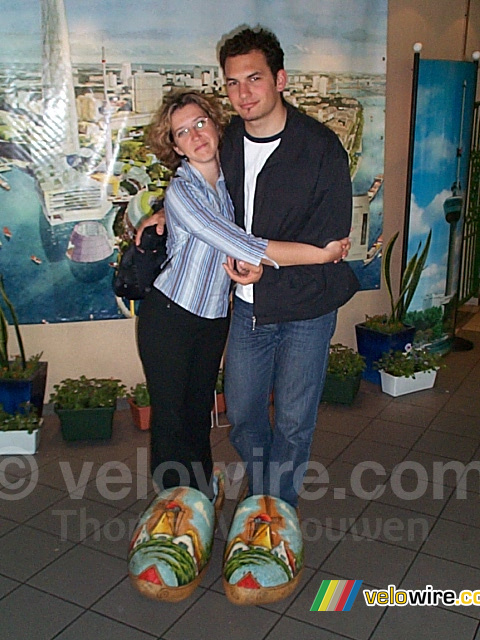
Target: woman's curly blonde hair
160,137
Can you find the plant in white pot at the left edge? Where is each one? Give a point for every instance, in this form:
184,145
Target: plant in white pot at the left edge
20,431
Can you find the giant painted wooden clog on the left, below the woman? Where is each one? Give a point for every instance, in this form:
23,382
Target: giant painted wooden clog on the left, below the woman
172,544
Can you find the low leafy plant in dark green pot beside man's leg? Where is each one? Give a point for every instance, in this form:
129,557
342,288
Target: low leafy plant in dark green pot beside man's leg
344,372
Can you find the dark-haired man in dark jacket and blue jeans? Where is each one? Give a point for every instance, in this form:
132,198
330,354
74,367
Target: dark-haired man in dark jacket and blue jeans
289,179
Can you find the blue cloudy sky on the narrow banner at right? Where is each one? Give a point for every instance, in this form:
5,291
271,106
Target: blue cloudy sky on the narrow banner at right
437,137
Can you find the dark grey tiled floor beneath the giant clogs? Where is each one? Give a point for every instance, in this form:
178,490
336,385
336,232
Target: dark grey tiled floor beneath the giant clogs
391,514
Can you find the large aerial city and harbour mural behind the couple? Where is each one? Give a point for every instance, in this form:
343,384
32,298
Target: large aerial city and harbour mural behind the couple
79,82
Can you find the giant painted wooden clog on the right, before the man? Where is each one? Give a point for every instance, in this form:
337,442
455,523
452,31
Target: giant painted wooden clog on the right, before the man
264,552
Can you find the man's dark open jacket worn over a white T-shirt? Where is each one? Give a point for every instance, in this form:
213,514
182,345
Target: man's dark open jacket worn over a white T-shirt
304,194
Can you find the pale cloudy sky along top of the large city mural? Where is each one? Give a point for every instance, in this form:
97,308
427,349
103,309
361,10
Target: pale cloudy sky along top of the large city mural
332,35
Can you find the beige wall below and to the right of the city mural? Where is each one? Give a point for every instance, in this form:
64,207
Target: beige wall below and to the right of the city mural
107,348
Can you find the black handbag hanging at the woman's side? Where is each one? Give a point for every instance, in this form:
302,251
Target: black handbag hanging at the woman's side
139,266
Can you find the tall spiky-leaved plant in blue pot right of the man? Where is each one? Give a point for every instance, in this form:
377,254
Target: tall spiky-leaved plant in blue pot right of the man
383,333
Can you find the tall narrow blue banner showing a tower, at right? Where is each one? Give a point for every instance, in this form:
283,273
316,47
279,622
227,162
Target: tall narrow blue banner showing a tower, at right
441,153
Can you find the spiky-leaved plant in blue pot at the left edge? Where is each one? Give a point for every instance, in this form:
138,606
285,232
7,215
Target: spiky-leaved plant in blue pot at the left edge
22,380
